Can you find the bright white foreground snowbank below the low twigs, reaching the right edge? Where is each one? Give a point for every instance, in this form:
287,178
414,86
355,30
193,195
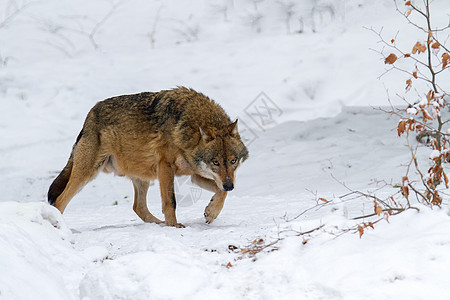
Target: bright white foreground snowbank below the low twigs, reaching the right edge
392,262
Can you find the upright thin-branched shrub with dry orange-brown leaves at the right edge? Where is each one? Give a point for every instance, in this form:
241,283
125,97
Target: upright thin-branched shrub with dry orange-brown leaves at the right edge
428,59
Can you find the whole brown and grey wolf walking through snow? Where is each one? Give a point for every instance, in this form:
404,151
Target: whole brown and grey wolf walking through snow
155,135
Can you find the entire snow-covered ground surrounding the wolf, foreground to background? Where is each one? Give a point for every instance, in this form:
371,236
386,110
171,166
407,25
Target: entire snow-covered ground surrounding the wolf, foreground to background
58,58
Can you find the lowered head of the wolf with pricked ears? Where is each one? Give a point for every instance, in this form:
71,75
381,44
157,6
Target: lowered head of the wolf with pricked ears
219,154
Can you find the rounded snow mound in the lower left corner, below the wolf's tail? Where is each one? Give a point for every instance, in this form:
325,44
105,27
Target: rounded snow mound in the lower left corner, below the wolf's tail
37,259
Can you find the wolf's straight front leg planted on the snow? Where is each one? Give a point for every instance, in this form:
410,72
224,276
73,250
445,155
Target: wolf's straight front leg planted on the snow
166,178
